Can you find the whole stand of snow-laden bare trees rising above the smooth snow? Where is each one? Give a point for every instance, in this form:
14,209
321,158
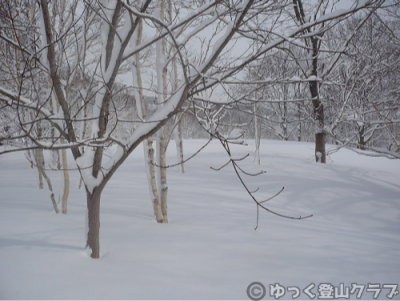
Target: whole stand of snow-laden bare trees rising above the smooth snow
91,81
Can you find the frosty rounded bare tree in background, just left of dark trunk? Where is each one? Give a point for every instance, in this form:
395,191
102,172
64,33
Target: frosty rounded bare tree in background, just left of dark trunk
280,104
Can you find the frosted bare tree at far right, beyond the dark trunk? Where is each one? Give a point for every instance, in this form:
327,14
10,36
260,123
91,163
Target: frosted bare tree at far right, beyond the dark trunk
366,75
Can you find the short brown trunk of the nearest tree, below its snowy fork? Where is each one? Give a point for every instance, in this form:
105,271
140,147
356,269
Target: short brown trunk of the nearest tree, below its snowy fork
93,211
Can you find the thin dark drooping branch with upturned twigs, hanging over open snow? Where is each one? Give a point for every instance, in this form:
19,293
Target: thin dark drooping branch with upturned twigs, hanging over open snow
238,170
